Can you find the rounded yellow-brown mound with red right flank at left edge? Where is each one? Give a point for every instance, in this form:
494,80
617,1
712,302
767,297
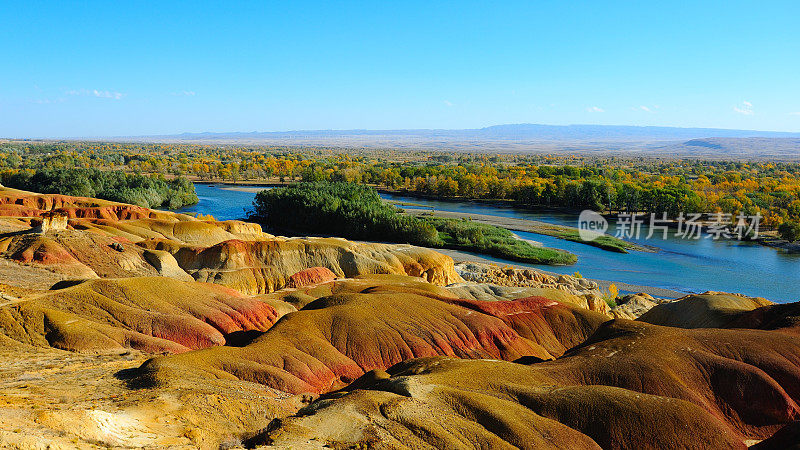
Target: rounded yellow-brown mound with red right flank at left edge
153,314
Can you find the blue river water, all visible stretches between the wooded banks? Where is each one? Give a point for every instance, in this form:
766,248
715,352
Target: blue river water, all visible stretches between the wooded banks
685,265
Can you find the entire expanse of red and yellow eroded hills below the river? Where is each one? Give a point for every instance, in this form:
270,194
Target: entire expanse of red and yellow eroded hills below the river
123,326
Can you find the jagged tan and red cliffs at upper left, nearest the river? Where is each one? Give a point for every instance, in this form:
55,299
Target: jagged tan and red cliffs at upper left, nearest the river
98,237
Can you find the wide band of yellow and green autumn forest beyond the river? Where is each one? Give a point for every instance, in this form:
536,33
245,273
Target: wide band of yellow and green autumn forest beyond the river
629,184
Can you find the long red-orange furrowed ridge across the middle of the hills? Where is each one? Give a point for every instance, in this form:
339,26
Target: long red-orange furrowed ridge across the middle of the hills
336,339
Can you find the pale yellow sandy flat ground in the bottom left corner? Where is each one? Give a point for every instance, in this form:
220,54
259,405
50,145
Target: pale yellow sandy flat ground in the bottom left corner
57,399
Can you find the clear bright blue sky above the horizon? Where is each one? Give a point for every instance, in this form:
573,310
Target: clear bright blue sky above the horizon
111,68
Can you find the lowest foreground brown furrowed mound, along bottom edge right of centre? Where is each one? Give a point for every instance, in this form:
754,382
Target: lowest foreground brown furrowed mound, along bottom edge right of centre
436,403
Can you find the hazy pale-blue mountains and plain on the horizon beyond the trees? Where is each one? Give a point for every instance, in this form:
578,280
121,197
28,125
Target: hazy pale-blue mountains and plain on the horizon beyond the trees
528,138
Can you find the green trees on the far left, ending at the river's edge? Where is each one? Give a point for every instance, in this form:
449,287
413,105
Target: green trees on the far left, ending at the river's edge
147,191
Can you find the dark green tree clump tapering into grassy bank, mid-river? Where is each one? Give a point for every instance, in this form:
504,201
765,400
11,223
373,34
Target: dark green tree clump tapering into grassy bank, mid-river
357,212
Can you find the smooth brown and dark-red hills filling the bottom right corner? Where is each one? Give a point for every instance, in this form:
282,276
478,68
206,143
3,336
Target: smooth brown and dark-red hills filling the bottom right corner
631,385
